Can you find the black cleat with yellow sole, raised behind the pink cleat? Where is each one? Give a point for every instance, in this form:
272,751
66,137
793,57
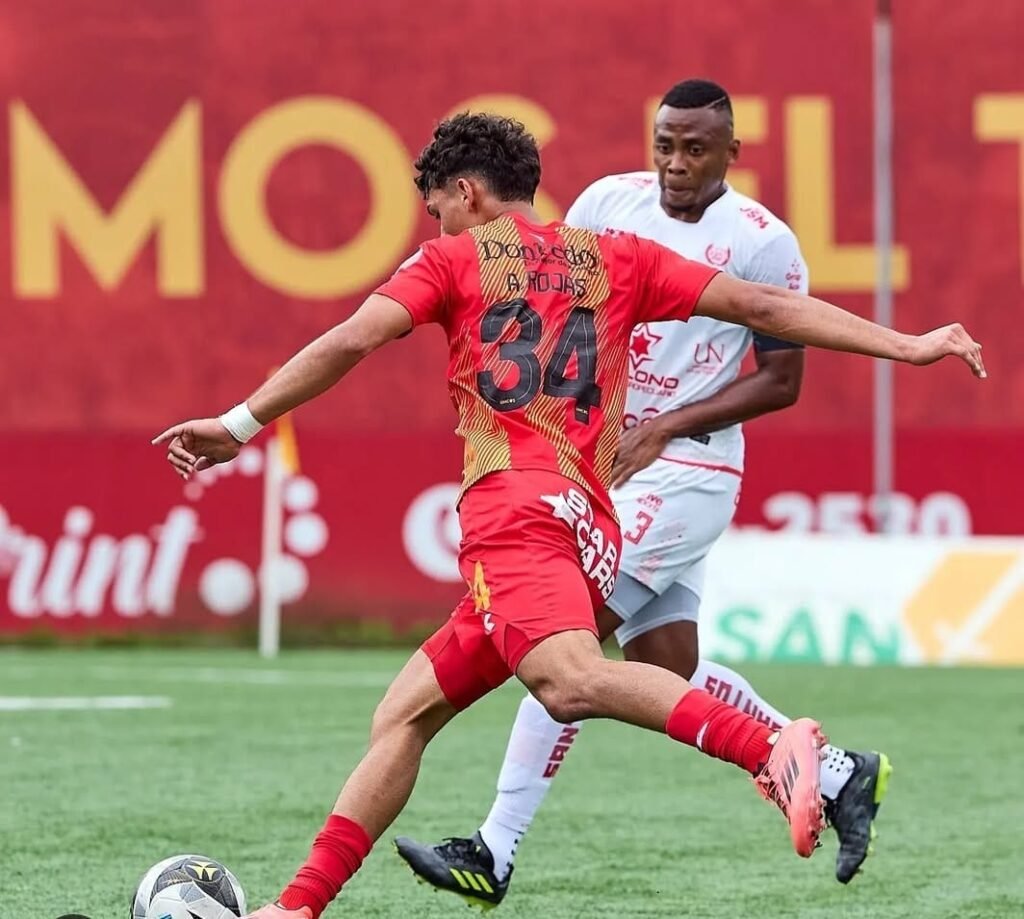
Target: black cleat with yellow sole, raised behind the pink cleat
852,814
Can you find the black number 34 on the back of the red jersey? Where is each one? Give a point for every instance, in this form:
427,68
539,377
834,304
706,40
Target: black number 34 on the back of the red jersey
579,338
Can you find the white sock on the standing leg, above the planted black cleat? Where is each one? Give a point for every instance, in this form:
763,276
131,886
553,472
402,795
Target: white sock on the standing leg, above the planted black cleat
537,747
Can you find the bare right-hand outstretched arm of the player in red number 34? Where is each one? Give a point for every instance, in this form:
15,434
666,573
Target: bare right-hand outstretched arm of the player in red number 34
794,317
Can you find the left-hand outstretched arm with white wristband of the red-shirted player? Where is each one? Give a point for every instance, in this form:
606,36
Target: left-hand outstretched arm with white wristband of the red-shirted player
201,443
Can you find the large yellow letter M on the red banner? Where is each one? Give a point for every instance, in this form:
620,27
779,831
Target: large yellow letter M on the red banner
164,200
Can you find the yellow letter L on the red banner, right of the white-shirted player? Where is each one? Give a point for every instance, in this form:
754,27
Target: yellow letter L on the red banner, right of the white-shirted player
810,189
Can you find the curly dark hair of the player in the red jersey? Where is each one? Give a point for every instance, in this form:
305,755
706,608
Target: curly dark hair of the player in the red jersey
499,151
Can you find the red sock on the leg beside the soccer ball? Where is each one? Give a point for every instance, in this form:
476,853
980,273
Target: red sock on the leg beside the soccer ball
337,854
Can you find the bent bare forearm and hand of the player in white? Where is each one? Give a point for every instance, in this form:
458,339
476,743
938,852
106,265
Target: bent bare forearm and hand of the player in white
774,386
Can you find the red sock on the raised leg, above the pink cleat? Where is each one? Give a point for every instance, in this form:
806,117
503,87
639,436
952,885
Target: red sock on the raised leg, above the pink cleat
719,730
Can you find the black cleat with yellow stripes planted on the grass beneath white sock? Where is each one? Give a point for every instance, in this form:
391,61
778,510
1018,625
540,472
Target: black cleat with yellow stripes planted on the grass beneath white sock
464,867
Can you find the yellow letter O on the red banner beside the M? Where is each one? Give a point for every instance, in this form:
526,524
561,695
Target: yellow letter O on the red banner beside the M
242,197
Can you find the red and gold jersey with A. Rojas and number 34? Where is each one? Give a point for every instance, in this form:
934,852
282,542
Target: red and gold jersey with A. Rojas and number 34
539,320
